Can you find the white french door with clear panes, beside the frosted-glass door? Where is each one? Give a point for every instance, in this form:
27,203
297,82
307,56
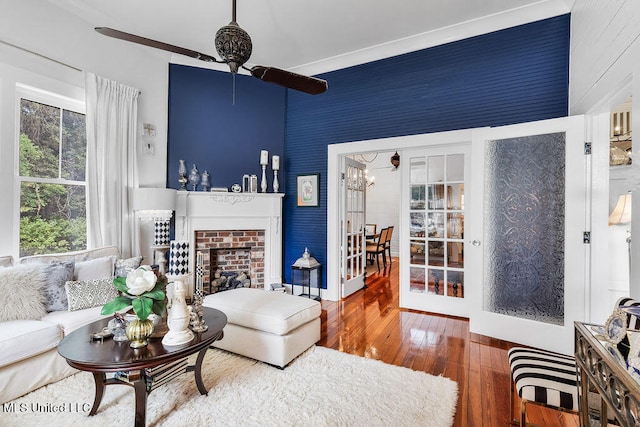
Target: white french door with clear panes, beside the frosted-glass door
433,249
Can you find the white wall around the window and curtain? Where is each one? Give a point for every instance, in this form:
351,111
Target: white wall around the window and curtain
40,27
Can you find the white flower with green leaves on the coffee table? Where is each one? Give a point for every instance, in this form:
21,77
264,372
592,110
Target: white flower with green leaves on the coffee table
142,290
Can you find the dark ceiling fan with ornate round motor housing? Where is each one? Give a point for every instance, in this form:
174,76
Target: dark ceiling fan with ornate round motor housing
233,44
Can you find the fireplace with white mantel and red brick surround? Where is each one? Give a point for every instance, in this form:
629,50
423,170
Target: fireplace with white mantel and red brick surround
231,230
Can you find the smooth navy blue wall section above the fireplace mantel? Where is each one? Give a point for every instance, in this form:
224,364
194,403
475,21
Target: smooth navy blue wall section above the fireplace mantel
208,130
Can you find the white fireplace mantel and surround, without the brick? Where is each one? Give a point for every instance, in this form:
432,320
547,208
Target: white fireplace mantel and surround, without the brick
202,211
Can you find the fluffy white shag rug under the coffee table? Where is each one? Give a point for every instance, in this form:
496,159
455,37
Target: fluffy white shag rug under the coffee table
322,387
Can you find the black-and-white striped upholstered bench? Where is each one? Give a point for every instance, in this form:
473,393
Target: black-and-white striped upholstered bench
543,378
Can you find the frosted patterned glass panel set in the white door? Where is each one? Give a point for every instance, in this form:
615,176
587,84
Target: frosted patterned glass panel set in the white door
524,227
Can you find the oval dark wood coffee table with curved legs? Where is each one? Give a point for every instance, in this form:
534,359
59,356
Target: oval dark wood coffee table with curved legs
102,357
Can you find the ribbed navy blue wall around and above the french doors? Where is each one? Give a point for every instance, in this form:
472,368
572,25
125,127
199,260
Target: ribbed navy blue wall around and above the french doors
510,76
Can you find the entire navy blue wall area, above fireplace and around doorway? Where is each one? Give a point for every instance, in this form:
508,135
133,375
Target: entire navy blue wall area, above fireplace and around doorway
510,76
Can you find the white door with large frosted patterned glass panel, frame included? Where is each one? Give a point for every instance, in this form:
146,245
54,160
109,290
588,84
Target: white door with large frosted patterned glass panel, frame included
526,219
